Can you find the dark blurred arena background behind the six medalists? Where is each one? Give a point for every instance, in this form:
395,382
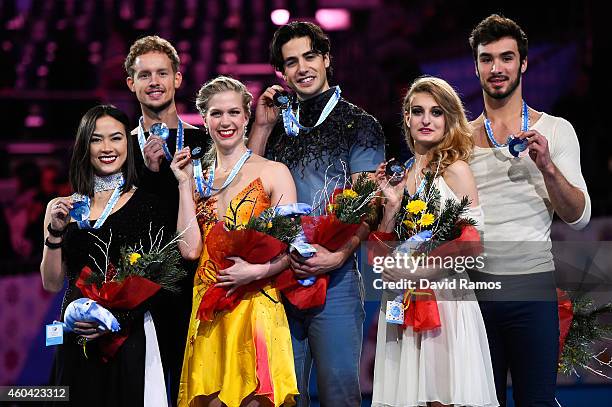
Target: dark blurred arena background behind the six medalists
58,58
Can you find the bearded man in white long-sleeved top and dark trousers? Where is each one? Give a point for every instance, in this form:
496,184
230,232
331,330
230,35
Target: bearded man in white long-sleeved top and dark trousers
522,180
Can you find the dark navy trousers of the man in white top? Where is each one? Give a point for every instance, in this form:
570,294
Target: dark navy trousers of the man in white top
524,338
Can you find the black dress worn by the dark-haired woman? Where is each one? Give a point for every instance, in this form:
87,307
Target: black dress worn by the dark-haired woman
120,381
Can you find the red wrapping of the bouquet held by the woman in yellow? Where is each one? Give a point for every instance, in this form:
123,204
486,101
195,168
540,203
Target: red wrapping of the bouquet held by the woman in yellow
252,246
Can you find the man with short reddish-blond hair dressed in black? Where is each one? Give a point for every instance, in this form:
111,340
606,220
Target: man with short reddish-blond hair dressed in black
152,66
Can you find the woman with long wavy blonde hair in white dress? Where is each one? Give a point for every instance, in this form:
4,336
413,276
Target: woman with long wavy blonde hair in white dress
448,365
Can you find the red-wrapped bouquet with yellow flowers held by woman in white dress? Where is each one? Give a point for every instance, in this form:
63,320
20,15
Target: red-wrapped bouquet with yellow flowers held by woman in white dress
424,228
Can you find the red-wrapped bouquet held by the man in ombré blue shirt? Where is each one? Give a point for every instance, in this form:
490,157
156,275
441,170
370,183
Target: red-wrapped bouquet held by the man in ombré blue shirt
346,209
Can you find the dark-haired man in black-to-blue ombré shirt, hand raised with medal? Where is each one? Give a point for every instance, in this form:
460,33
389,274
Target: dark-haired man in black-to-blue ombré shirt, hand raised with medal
340,140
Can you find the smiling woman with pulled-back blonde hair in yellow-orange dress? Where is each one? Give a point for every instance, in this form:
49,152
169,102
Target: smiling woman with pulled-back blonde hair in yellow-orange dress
241,357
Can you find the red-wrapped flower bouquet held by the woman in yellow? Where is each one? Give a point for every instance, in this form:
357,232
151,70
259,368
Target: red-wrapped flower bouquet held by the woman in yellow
260,240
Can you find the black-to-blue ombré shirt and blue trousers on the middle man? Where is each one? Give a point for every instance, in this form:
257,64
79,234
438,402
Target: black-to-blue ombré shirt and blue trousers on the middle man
349,141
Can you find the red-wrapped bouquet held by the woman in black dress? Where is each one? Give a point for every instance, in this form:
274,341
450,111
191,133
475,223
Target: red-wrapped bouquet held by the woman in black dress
138,275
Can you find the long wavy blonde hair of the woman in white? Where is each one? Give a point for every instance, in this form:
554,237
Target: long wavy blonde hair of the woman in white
457,143
